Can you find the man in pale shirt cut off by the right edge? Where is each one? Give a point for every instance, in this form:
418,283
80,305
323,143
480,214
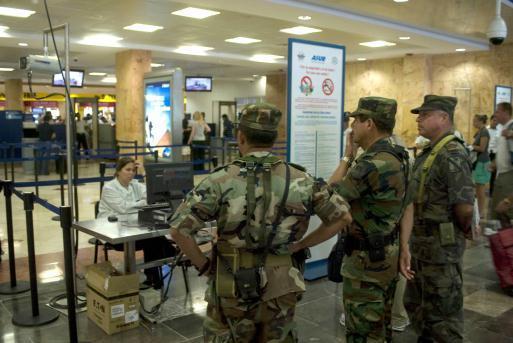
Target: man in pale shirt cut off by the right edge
503,159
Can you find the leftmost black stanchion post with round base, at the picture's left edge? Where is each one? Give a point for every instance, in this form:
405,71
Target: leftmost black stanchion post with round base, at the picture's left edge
13,287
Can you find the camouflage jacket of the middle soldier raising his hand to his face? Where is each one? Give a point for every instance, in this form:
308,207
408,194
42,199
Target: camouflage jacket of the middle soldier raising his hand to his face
375,189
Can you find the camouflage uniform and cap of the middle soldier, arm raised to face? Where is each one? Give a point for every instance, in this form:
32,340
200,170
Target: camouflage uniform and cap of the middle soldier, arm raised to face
375,189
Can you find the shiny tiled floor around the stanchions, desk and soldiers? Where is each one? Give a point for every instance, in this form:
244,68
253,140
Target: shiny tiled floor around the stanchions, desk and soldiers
488,312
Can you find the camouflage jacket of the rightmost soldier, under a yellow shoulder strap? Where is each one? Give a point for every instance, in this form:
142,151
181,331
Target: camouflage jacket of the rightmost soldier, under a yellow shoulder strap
448,183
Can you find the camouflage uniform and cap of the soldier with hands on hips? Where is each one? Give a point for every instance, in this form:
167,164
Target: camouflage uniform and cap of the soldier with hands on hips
222,196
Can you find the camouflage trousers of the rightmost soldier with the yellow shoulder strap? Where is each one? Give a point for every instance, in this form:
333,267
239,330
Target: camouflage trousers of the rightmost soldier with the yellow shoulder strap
434,301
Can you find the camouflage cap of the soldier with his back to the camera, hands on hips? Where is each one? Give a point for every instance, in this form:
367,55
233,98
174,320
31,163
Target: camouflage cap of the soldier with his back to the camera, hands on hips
264,117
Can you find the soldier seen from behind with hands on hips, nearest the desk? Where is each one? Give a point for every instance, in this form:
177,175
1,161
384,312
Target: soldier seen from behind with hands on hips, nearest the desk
252,222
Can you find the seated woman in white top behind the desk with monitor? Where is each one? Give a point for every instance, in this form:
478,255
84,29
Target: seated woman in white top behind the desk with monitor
122,196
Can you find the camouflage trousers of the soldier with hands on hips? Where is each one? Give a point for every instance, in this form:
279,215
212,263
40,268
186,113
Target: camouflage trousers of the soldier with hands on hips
271,321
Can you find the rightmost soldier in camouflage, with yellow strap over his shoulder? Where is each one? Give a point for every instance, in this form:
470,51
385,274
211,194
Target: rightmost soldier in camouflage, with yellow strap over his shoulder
443,215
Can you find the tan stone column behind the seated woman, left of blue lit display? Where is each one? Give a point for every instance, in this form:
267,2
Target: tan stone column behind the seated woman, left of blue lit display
130,68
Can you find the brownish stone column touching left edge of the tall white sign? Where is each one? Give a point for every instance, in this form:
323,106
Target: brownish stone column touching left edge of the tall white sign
276,94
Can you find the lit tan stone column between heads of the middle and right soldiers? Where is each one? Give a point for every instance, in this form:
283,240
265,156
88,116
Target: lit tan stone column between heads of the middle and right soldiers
415,84
